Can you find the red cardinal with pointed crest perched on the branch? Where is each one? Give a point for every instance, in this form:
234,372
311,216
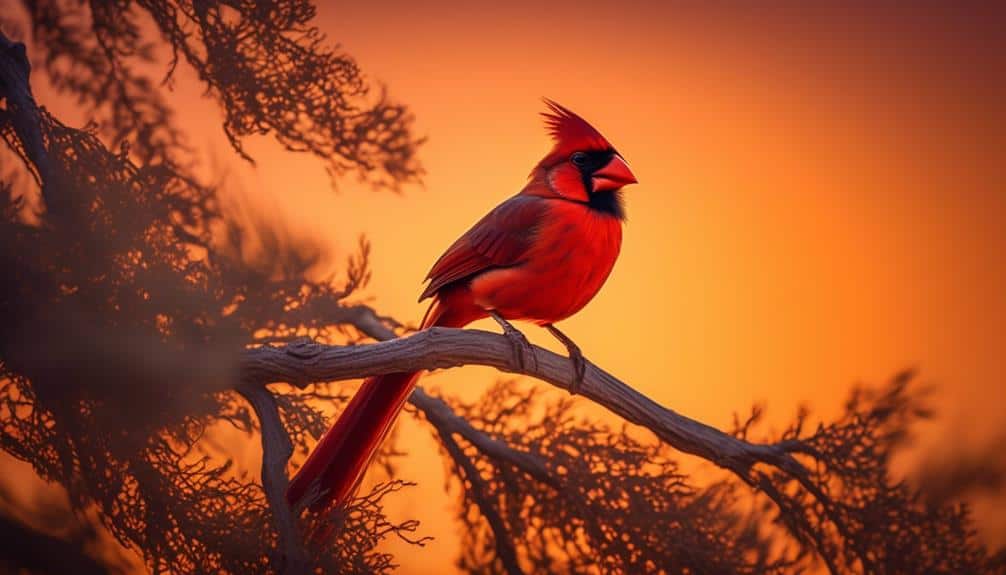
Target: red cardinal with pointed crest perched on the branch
541,257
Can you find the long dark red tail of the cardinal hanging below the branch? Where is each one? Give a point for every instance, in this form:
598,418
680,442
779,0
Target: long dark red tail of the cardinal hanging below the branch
332,472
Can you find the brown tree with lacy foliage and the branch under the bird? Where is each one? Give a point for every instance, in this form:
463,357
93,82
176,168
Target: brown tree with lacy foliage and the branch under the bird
135,333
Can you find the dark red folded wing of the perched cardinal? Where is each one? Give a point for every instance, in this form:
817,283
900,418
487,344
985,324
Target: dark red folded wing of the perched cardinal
499,240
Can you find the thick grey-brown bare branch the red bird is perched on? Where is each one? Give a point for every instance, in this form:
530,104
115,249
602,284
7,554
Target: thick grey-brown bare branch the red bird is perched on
303,363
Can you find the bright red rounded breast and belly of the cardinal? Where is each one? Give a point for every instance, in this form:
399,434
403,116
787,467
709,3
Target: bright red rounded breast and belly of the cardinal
574,253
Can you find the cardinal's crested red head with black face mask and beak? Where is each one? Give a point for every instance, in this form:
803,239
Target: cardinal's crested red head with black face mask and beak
583,166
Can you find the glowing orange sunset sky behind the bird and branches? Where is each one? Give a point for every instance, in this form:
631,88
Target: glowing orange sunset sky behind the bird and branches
821,196
